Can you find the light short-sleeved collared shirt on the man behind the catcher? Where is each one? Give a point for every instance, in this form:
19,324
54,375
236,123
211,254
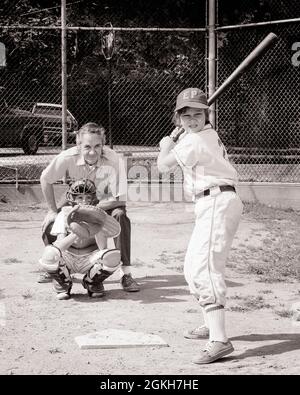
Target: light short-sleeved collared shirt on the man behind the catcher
108,173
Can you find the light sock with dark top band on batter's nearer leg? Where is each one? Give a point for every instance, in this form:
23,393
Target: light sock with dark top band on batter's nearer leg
215,315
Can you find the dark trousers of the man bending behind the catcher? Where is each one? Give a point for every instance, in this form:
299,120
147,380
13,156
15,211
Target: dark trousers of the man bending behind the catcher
122,242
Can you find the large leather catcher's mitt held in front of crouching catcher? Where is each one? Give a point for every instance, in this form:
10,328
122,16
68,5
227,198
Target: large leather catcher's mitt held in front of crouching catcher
86,221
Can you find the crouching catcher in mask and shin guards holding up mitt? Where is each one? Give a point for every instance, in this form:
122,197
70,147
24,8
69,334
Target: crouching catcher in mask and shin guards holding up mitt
82,230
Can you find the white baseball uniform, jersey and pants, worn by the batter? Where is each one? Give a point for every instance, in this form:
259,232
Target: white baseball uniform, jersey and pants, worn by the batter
204,161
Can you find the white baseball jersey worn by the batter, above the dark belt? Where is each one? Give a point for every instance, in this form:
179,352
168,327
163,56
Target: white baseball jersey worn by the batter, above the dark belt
204,161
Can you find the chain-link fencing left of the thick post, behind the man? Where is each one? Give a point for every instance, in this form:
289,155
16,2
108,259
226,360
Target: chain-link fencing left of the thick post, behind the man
143,92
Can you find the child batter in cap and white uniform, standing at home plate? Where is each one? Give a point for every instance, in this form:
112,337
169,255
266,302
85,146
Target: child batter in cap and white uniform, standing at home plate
210,180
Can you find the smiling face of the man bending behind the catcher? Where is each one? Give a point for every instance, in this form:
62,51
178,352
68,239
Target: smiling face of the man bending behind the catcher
91,146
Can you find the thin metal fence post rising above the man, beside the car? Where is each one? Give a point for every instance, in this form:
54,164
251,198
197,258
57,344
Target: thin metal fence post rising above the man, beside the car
64,73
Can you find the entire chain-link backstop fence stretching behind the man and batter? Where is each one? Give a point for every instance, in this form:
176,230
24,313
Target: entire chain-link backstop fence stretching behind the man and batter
257,117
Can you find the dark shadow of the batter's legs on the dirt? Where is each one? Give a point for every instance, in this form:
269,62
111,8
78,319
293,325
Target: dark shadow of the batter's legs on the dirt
286,342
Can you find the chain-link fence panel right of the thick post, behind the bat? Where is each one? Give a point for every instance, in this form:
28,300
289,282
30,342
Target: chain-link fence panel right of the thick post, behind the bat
258,116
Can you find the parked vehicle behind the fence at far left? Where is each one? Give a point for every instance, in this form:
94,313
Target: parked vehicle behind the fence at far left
31,129
